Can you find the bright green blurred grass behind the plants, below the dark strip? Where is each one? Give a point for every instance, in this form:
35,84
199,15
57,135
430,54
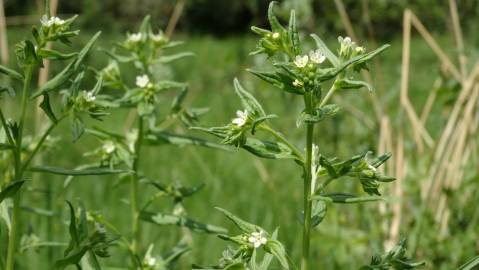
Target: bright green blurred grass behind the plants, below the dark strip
265,192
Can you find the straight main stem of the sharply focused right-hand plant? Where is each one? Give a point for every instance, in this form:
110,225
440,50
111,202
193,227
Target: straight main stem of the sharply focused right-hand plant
308,99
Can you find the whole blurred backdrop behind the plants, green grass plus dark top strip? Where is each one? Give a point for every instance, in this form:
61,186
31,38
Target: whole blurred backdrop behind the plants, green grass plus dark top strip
268,193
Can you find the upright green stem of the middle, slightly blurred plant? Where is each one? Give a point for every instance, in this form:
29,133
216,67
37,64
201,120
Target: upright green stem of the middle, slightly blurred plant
135,224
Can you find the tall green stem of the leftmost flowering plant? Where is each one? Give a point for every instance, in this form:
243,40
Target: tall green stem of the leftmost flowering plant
12,239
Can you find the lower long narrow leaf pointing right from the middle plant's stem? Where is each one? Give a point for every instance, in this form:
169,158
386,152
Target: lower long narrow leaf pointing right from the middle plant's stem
168,219
